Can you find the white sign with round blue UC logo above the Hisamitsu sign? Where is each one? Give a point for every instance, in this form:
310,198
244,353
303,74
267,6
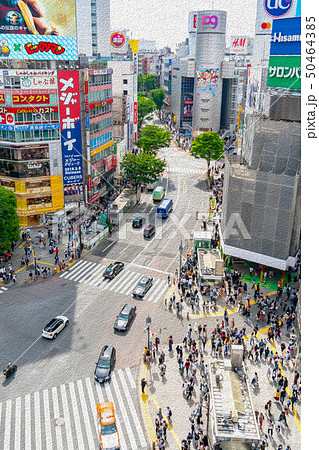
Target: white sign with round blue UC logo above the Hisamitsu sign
267,10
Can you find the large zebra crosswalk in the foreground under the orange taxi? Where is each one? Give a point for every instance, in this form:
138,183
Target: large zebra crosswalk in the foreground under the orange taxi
64,417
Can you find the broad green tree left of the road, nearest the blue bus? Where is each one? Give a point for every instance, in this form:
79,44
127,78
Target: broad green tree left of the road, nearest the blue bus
142,168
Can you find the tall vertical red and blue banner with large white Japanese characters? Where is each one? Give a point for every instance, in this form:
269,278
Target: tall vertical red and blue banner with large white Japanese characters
70,122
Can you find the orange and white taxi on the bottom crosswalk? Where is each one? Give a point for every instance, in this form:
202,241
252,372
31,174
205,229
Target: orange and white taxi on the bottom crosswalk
108,433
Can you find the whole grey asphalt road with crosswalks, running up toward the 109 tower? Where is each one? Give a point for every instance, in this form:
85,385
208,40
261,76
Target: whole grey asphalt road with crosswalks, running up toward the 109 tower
51,400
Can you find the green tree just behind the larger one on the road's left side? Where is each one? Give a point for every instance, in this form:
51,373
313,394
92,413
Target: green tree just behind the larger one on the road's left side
152,138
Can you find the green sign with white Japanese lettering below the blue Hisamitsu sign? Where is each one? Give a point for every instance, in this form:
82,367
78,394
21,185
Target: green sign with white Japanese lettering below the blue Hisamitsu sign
284,72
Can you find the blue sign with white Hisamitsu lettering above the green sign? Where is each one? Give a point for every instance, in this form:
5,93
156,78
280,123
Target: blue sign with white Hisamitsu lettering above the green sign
286,37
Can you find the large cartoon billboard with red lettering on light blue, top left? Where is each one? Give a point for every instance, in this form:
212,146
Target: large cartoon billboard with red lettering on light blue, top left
42,29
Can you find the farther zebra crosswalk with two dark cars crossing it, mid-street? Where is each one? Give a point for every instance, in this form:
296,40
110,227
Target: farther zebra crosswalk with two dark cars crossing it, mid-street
90,273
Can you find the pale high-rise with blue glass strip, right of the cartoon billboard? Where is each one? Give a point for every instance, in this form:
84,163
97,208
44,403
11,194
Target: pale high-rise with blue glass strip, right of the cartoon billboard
93,27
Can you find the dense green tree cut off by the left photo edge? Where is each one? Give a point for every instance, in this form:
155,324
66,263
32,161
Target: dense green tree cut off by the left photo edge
9,220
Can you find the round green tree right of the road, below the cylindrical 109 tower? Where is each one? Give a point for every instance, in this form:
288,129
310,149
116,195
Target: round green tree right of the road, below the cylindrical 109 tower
208,146
